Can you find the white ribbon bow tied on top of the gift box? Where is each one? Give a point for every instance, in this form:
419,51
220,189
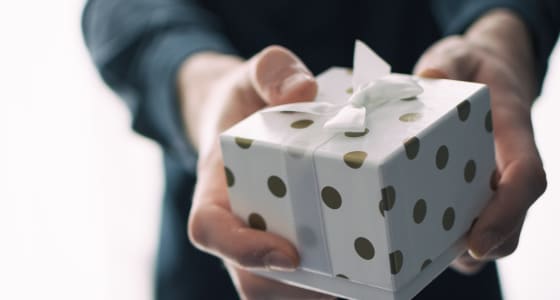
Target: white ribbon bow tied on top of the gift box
373,85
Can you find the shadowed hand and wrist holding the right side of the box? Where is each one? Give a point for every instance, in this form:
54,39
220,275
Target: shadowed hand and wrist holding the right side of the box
497,51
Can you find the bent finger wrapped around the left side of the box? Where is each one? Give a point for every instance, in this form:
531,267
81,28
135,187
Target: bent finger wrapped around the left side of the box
214,228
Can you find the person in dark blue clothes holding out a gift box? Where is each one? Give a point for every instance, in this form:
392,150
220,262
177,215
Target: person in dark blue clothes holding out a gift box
190,69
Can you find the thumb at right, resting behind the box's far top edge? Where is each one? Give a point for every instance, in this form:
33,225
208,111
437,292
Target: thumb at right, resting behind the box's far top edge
451,58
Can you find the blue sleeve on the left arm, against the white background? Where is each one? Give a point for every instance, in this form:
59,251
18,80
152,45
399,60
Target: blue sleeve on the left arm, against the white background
138,45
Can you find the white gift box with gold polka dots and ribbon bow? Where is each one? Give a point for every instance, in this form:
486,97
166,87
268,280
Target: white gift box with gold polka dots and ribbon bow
375,182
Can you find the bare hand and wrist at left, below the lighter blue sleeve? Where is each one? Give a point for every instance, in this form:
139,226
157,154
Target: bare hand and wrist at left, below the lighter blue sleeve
216,92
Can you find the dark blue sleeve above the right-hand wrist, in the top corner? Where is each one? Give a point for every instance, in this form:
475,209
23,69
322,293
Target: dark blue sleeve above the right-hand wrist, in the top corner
454,17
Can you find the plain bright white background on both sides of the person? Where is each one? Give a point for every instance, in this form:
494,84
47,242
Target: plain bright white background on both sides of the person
79,192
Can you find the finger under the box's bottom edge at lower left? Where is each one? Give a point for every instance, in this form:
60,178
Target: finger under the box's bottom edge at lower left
251,286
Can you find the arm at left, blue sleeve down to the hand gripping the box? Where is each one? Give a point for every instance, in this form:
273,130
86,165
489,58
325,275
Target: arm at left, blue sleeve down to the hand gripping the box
169,60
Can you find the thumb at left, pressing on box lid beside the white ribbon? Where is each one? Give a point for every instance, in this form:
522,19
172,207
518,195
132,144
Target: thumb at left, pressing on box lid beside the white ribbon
279,76
